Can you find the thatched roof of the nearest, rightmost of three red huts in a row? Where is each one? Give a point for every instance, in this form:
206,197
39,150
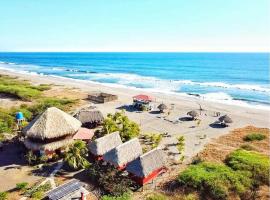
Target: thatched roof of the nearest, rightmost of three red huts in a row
147,163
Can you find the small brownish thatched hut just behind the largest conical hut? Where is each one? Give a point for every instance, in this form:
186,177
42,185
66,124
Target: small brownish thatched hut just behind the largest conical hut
90,118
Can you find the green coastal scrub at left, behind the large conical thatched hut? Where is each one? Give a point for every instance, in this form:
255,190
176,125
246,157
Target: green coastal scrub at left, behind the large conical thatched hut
35,101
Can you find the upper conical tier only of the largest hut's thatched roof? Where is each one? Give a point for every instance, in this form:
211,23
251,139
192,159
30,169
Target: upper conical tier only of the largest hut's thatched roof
52,123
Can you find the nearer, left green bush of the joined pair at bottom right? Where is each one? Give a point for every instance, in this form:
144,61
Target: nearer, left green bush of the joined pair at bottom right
216,180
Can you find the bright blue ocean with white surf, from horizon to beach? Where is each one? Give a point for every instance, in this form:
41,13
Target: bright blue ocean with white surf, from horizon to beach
234,77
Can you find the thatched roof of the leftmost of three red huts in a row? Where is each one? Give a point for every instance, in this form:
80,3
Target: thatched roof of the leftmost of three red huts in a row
104,144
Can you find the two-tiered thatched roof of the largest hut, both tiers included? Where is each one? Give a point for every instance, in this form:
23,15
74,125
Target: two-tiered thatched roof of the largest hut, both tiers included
51,130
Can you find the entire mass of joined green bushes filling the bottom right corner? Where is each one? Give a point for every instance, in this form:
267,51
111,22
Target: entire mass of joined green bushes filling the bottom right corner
242,173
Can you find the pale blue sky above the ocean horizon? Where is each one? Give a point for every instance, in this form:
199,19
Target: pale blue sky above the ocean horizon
134,25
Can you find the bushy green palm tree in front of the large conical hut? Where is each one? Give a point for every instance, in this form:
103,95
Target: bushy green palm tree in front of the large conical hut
75,157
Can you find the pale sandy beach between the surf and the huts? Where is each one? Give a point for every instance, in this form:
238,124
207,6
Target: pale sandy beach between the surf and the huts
154,123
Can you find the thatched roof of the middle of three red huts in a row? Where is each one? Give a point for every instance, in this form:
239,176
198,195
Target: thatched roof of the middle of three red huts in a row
124,153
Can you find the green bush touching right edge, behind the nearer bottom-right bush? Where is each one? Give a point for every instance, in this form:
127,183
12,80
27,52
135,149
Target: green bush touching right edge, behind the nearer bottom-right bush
254,163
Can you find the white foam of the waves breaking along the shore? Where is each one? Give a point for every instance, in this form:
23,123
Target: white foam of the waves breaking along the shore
153,84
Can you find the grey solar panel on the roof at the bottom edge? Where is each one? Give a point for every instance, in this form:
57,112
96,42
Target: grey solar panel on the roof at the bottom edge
64,190
